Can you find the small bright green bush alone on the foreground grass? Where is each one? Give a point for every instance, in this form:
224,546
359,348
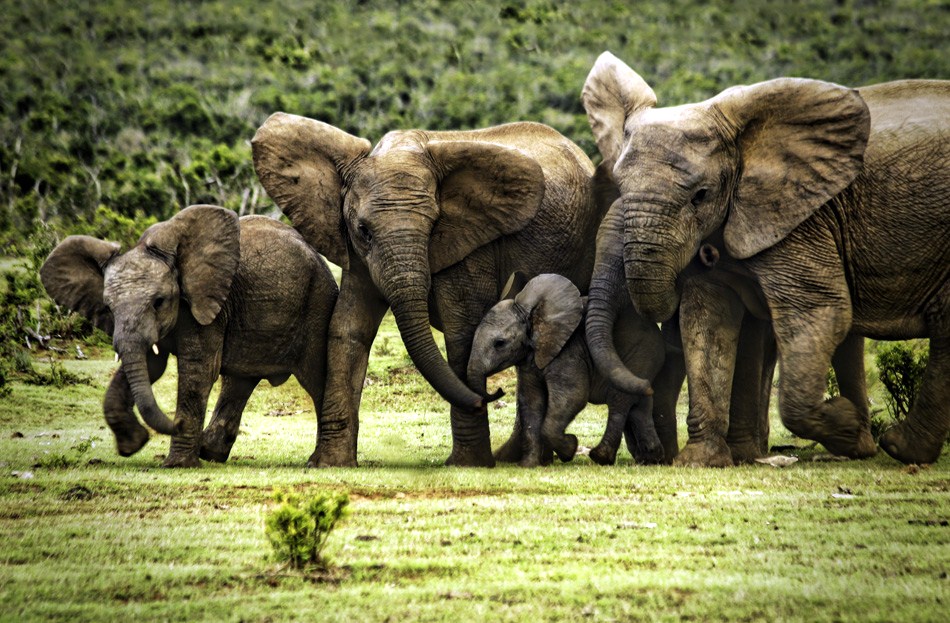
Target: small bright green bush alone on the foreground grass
298,529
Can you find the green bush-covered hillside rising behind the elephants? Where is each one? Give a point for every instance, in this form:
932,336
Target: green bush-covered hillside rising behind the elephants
114,112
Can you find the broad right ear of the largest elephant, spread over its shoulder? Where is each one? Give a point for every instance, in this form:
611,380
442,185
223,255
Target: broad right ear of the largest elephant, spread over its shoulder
801,142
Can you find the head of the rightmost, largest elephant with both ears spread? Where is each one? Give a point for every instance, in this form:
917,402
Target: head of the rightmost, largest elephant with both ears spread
753,162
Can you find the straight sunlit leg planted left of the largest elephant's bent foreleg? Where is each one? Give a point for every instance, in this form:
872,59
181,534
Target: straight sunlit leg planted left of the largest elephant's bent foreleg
710,321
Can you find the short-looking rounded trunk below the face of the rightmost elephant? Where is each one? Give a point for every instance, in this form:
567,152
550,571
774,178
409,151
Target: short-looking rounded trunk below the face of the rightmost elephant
656,246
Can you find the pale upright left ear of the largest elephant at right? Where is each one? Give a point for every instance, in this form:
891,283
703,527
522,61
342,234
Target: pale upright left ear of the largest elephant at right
612,93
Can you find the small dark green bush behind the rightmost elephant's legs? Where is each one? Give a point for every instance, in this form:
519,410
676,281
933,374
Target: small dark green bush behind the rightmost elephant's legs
900,368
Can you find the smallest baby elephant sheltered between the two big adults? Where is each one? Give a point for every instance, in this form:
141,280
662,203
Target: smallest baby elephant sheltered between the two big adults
541,331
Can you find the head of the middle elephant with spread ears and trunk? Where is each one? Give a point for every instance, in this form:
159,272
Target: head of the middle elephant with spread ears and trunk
415,205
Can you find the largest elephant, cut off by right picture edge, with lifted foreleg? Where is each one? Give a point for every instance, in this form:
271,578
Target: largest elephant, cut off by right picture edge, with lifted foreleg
831,199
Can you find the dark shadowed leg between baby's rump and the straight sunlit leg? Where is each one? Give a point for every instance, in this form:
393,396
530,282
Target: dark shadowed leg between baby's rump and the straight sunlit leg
667,385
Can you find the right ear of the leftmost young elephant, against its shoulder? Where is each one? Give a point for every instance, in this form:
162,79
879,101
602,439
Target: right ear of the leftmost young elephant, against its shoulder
204,242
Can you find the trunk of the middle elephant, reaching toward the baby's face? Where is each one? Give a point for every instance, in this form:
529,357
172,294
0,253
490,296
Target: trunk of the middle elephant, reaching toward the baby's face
407,290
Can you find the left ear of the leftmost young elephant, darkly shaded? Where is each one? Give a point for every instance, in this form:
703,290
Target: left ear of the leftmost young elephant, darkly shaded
73,277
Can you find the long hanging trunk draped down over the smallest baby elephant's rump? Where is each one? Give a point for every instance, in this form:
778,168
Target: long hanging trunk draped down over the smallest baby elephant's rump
605,299
